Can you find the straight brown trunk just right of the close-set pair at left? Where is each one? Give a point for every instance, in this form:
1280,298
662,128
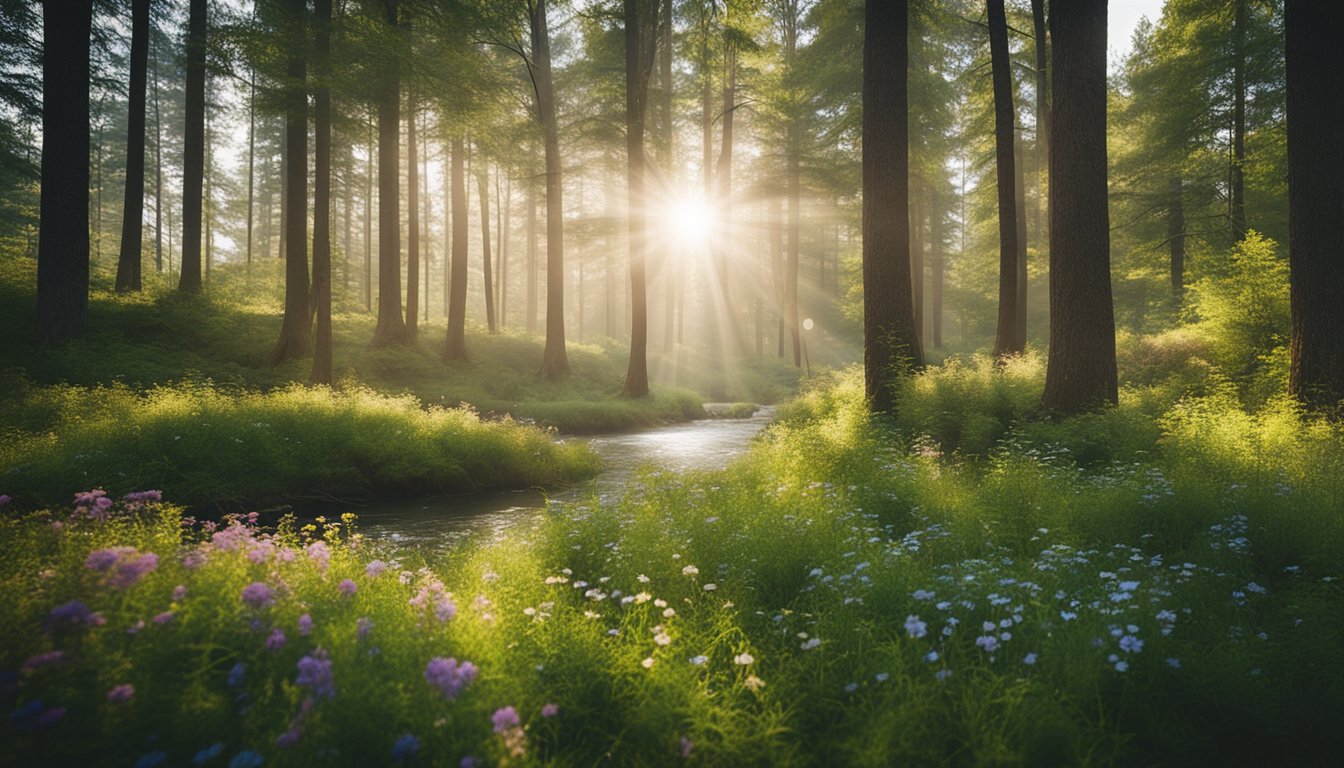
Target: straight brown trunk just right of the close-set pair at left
392,326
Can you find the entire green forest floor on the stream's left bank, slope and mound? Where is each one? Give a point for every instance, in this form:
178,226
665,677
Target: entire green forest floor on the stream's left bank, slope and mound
178,395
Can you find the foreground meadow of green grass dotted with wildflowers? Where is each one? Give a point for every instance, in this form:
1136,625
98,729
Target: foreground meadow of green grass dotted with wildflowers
849,594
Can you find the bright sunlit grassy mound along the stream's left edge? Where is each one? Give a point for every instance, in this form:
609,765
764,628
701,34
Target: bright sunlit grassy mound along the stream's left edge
209,446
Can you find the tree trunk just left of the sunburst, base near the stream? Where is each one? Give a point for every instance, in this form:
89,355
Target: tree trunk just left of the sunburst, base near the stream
640,48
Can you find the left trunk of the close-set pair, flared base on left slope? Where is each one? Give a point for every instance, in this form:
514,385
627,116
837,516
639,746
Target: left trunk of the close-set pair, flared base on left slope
298,325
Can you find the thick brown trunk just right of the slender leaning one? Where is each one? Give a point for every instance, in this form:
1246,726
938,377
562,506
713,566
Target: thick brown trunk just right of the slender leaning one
1081,371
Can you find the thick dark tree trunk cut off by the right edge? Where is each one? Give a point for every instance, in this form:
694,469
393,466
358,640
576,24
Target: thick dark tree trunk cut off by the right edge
1316,202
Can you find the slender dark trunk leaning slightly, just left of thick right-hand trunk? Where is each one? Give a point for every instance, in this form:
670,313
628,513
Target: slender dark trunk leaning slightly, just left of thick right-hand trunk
1006,337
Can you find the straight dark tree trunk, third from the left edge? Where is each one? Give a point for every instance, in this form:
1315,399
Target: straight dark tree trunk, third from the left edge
194,150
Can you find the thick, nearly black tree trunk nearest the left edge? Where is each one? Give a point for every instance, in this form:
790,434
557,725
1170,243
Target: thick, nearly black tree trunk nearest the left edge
64,232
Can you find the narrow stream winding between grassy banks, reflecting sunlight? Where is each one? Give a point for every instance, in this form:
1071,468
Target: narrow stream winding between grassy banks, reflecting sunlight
446,521
